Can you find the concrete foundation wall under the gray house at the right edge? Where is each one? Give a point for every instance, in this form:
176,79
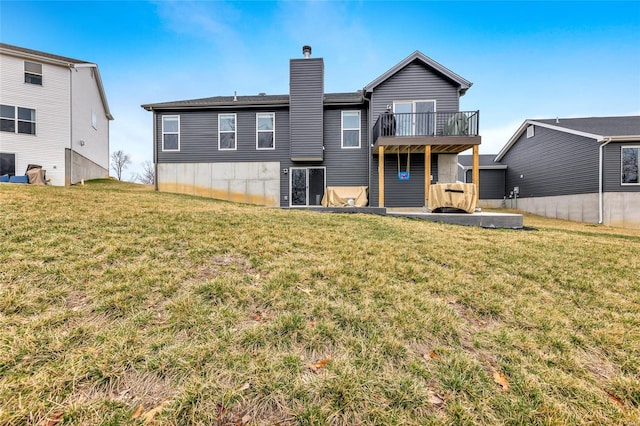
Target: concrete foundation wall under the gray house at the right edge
621,209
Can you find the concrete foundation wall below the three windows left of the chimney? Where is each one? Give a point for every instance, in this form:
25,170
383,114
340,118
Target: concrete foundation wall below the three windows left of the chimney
242,182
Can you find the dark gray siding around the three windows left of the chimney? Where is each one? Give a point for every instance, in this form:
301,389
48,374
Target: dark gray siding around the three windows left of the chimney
199,137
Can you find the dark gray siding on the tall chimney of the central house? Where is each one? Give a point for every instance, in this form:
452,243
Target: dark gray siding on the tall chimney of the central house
306,98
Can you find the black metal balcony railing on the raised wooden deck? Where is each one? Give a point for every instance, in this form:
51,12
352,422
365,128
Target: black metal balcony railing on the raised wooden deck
424,124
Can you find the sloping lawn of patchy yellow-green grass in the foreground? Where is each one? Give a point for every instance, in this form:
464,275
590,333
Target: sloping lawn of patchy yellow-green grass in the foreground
120,305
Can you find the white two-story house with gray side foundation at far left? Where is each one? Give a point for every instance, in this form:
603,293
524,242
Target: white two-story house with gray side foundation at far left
54,113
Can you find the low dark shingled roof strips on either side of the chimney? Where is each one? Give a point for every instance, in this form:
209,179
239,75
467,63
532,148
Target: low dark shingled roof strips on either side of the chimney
252,101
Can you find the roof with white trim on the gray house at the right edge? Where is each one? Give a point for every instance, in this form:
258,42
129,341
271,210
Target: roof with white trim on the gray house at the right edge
624,128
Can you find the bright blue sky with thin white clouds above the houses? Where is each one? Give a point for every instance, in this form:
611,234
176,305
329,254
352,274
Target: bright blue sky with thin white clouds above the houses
525,59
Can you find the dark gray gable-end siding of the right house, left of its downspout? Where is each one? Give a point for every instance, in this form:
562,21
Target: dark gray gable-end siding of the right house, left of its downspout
552,163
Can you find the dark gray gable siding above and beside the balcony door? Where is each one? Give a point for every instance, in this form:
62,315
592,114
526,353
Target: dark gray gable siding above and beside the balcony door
415,82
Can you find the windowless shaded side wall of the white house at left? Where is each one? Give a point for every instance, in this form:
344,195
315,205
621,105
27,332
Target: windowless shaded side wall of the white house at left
86,101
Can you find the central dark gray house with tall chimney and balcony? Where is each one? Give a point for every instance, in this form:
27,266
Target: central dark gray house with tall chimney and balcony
392,139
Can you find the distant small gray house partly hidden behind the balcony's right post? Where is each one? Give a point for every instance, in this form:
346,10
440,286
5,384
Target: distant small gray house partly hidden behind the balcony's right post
492,178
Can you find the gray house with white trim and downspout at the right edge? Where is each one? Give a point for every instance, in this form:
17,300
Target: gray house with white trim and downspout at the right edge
583,169
